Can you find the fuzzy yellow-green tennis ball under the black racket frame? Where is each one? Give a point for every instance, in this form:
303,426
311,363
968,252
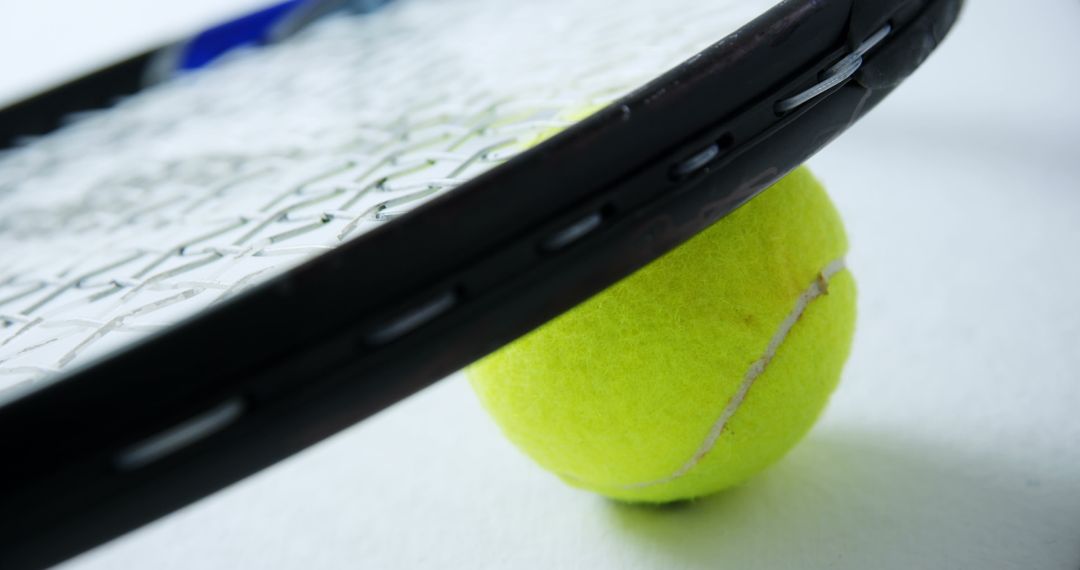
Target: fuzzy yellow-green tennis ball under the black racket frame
698,371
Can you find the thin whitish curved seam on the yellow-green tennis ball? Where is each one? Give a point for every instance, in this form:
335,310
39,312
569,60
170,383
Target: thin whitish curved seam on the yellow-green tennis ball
819,288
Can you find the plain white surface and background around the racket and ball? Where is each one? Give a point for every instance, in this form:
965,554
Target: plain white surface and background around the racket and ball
954,441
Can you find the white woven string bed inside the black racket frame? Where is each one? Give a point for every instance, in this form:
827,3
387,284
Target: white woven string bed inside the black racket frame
136,218
